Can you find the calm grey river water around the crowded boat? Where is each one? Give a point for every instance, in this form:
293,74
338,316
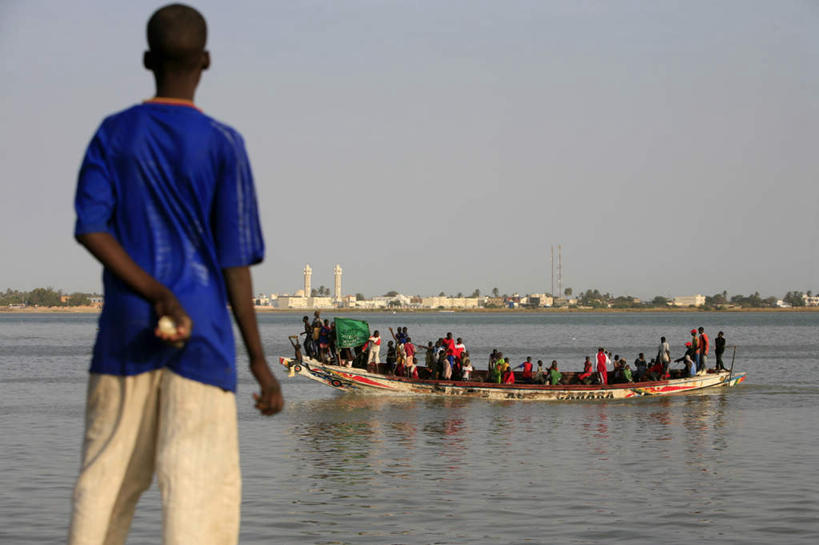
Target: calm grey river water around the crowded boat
740,466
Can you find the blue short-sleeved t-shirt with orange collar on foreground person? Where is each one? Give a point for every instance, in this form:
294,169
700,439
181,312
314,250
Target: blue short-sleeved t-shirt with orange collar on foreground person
174,187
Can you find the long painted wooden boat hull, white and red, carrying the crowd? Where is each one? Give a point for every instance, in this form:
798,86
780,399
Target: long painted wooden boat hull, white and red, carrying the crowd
350,379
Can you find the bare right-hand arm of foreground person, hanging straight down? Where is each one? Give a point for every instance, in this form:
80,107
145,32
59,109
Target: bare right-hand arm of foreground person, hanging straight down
240,294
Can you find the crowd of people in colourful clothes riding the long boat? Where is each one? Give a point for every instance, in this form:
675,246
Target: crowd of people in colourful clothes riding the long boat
448,359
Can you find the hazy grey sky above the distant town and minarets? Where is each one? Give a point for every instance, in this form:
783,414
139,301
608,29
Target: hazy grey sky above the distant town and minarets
670,147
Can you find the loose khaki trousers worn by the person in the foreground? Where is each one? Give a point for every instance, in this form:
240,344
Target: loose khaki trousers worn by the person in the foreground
158,422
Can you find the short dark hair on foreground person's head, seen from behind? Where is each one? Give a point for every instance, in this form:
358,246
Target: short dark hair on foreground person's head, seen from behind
177,34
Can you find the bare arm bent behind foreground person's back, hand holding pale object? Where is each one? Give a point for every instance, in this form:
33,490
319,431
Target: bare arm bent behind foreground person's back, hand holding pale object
113,256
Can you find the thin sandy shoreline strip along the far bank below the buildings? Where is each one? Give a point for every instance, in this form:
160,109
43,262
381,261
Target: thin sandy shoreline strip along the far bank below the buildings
264,310
